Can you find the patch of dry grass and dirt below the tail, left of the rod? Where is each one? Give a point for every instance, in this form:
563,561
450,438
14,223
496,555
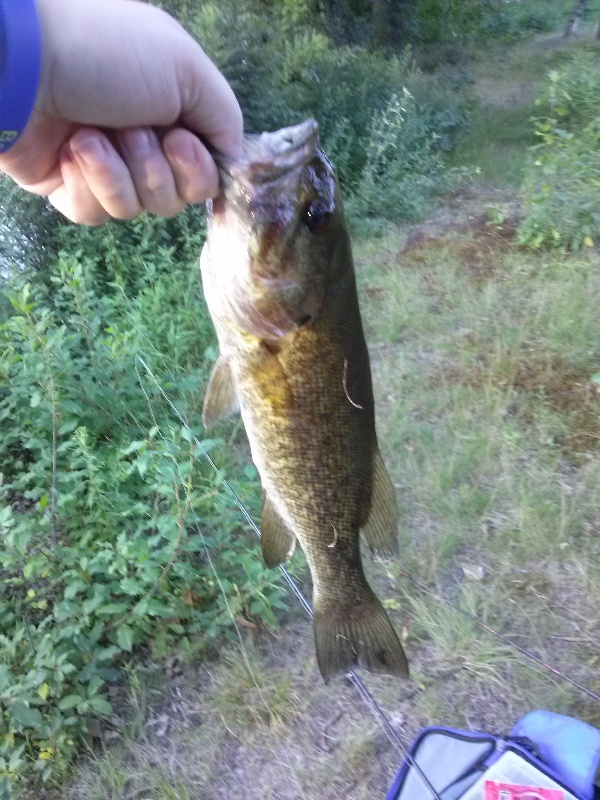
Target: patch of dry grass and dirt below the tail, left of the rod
275,731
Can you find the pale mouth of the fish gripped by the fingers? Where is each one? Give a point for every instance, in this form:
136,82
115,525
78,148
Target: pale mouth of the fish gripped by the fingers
267,157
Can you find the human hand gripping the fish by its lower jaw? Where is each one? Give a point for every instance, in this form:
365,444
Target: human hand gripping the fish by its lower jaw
123,92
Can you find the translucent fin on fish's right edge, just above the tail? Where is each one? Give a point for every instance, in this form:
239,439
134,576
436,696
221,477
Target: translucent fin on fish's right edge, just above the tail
381,528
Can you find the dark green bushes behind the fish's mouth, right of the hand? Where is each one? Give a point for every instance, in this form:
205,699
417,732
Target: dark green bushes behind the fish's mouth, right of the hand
285,68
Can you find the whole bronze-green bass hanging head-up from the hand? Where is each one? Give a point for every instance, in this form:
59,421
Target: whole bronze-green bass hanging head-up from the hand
280,286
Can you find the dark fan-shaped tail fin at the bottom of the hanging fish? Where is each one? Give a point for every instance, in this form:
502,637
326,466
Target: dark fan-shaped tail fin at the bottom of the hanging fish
360,635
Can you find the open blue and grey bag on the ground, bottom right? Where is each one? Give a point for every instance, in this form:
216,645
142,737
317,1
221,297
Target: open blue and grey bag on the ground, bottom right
560,752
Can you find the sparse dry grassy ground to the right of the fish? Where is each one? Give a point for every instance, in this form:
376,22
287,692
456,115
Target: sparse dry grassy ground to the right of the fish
491,423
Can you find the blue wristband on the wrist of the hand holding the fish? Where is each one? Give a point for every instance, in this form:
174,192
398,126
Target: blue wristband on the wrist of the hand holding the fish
20,65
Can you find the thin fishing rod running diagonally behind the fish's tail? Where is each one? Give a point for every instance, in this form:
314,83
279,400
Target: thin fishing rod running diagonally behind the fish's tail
362,689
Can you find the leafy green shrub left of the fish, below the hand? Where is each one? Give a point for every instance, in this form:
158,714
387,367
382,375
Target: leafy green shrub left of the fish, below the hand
114,534
